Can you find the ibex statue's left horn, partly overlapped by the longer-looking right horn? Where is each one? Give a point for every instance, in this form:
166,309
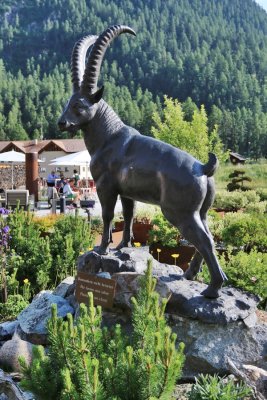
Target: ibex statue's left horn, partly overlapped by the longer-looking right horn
78,60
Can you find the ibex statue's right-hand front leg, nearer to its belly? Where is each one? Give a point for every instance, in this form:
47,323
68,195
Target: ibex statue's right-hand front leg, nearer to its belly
128,207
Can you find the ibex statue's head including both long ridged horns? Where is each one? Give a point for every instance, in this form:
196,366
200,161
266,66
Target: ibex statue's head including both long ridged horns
82,106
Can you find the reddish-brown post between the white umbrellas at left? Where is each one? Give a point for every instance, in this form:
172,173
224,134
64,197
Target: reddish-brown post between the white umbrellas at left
32,175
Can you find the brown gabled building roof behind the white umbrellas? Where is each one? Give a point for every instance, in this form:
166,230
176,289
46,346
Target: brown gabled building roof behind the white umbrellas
29,146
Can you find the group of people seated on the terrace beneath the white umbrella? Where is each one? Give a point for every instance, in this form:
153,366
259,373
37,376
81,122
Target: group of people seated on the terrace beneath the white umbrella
58,185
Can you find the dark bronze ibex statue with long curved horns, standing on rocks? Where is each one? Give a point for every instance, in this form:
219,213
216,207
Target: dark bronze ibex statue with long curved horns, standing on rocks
137,167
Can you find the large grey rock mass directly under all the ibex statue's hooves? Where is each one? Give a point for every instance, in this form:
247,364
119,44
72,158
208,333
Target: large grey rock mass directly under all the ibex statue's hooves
213,330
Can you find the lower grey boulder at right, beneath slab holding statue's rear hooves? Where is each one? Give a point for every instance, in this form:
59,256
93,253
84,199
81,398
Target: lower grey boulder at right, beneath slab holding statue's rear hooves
208,346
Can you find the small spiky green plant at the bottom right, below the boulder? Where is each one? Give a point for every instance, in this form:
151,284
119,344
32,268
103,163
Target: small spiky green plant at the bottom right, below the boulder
209,387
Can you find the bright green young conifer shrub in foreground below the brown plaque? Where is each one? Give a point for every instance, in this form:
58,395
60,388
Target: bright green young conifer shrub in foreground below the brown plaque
86,362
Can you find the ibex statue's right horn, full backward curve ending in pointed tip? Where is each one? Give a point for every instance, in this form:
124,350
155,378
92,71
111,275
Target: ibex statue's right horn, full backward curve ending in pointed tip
89,83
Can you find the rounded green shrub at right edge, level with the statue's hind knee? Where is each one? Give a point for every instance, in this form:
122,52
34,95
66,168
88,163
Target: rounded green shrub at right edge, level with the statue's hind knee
246,230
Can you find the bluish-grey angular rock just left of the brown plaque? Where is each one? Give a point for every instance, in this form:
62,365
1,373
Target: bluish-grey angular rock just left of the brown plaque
33,319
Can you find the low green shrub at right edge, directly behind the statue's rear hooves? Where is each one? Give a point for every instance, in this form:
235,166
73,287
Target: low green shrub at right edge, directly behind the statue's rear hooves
247,271
